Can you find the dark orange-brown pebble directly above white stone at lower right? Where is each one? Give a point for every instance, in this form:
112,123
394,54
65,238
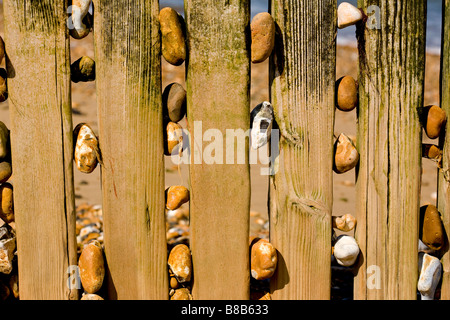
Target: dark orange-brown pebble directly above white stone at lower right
431,229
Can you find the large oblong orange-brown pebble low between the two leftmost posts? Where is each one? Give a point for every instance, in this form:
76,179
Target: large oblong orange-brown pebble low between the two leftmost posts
92,267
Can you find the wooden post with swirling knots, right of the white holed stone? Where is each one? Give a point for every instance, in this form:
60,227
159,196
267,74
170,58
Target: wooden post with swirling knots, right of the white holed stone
302,76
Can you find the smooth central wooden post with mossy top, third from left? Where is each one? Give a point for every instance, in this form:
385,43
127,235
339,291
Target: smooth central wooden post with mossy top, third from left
218,90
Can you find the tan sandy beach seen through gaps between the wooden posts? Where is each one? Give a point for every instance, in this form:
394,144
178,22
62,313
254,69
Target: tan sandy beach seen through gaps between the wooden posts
87,186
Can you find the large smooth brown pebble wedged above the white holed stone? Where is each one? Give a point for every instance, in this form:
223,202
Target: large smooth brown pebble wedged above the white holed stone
263,36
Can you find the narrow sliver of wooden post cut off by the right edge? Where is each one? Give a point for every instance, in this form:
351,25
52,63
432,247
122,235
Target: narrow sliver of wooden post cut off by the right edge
443,177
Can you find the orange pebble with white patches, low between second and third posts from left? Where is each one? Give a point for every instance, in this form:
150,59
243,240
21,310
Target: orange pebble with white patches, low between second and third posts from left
180,262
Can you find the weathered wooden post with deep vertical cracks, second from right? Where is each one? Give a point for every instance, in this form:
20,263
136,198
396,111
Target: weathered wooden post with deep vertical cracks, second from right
391,83
